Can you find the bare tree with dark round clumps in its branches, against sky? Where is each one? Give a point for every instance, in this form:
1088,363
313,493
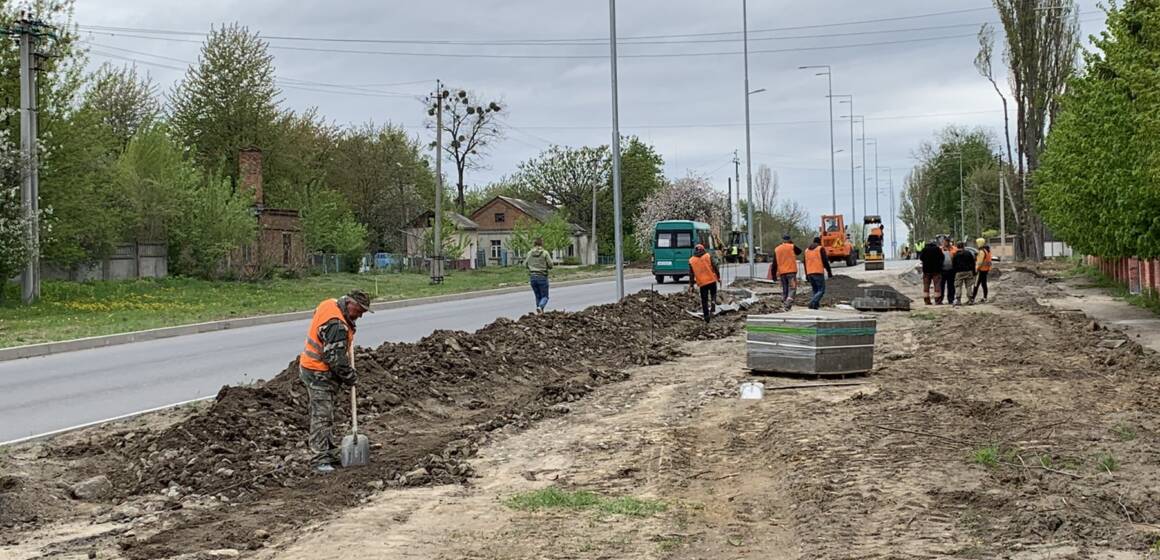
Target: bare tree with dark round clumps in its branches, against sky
473,127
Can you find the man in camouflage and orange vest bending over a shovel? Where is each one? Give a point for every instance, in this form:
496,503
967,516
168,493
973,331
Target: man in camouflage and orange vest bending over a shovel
325,367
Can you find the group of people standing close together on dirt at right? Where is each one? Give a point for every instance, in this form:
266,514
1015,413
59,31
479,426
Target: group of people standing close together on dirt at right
955,271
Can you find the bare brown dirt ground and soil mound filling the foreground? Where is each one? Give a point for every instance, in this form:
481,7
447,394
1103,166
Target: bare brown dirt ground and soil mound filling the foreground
1003,431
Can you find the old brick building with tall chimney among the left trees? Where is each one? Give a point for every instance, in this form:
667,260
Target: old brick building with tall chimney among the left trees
280,241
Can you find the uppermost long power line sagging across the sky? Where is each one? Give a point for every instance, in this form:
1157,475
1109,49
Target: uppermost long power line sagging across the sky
599,41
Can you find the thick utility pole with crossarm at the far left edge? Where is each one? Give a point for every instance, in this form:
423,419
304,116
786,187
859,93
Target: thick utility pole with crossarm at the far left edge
30,33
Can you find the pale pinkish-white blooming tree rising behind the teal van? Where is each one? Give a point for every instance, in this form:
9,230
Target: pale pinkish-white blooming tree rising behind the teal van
687,199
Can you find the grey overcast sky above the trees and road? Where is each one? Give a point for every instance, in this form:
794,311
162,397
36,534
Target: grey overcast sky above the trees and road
690,107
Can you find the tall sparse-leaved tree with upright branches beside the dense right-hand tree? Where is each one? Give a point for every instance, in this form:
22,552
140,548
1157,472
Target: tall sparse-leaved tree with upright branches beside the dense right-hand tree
1042,46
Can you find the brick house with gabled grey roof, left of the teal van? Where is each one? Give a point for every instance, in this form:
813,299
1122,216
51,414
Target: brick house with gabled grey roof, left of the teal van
498,219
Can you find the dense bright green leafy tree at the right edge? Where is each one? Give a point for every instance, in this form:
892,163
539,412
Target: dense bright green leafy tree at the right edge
1097,184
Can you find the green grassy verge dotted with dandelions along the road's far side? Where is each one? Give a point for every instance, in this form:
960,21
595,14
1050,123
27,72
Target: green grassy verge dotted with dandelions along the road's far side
74,310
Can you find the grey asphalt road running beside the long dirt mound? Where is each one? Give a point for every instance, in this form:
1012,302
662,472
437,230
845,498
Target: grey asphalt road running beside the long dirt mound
63,391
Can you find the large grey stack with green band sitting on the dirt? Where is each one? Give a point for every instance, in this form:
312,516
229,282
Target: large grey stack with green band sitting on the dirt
811,341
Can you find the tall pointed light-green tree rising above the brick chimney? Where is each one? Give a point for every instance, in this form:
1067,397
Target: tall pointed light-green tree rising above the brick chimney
228,101
